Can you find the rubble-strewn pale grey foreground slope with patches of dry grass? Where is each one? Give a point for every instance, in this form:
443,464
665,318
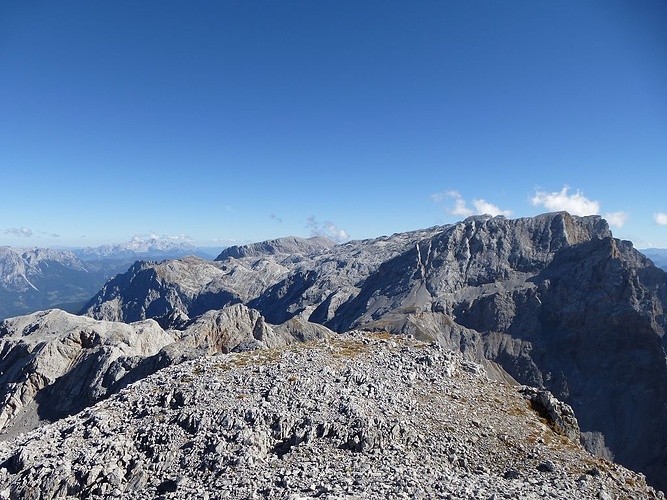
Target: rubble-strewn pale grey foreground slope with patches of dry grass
351,416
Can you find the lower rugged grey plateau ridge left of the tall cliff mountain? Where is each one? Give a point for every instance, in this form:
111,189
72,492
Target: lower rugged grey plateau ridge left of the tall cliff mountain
276,277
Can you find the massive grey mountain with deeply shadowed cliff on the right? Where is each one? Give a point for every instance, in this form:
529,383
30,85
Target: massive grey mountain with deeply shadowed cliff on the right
558,303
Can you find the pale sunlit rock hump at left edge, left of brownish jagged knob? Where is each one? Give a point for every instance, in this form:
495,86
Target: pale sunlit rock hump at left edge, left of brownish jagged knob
55,363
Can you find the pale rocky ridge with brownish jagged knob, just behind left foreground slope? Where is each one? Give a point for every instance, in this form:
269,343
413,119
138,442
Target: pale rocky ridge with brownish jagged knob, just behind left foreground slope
53,363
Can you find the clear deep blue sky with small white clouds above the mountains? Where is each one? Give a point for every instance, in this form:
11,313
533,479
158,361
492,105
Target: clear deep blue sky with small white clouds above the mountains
234,121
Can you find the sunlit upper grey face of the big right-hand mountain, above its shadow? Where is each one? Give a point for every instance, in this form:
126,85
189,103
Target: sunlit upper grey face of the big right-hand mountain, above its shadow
467,261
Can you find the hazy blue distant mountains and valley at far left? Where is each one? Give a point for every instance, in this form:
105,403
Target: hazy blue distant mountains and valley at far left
40,278
